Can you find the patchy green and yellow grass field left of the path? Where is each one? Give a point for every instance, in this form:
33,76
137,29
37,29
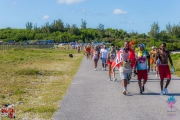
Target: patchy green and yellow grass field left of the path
35,80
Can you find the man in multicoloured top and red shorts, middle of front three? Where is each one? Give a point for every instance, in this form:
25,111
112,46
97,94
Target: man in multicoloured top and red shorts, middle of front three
143,58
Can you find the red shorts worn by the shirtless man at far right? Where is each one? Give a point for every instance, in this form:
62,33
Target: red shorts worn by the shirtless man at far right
164,72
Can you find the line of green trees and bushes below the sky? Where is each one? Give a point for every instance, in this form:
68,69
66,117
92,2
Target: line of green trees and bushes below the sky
61,32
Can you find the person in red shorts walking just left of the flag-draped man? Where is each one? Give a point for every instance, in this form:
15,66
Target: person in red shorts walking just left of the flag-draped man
111,57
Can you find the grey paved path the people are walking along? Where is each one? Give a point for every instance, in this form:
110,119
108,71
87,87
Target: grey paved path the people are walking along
92,97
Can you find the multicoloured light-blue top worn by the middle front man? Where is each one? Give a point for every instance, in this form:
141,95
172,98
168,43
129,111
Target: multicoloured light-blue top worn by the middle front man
142,61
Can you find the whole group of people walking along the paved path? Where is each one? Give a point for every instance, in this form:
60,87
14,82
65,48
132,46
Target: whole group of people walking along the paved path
129,60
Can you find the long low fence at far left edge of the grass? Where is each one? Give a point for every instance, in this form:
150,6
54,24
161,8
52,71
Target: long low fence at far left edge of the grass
7,47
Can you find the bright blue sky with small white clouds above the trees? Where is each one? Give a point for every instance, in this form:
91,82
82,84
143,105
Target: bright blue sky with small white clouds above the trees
129,15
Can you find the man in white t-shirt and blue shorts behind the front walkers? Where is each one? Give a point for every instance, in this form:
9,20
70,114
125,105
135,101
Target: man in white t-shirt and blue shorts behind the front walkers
104,54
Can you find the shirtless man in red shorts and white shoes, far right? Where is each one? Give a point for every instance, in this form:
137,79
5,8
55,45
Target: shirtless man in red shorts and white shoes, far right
164,72
